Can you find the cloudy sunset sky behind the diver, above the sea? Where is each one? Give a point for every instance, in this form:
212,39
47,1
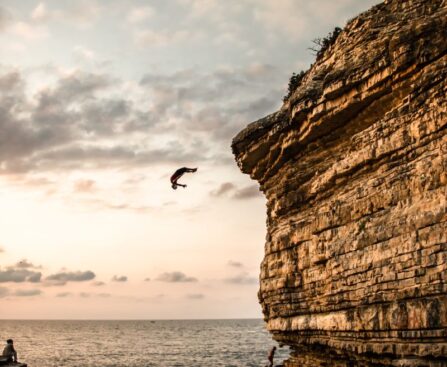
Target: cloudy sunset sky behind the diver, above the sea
100,102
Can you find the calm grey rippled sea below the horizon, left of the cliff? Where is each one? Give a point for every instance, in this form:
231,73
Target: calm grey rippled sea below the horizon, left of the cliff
158,343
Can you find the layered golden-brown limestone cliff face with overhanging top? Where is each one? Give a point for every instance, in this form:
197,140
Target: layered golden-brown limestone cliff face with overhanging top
354,168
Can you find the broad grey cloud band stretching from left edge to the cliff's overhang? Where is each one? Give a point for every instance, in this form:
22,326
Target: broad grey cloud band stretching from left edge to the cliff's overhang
84,120
